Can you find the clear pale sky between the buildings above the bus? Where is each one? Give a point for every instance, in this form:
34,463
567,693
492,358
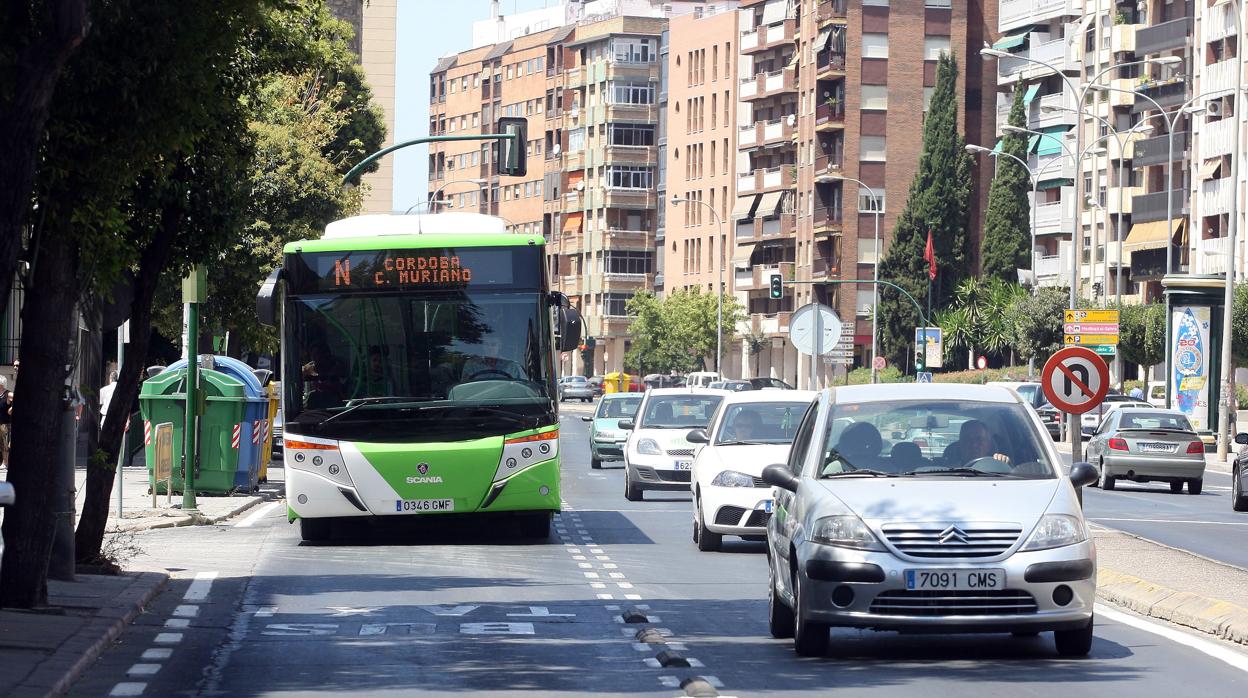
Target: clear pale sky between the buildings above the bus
427,31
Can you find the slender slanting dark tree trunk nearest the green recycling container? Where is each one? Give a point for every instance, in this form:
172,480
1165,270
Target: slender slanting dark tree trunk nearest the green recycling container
102,469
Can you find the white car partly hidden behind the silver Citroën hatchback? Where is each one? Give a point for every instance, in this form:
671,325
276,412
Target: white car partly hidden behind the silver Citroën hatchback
751,431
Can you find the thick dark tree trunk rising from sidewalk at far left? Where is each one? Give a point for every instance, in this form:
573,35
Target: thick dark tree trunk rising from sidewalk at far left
48,329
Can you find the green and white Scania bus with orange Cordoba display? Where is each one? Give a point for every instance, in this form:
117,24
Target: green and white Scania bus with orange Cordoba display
419,378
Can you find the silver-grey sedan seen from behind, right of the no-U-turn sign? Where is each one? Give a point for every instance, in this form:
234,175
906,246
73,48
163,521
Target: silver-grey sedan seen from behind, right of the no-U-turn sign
1148,445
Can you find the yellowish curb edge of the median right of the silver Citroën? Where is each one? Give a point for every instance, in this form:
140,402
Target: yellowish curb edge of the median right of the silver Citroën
1219,619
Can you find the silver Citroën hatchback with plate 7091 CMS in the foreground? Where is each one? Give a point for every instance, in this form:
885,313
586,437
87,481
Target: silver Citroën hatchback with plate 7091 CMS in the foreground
869,533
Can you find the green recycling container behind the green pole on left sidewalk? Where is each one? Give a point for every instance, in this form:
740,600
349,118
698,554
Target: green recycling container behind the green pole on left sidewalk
222,410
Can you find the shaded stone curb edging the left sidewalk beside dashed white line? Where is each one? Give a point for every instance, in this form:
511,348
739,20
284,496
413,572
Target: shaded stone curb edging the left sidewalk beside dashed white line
57,675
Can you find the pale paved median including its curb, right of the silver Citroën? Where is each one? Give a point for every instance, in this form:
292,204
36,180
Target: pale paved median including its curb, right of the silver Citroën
1172,585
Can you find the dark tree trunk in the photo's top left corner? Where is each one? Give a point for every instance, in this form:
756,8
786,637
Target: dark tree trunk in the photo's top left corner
37,71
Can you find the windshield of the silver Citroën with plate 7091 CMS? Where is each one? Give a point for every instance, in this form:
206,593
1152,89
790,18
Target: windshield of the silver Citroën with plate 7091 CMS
924,438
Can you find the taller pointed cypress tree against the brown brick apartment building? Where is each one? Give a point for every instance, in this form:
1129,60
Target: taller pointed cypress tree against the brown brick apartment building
939,202
